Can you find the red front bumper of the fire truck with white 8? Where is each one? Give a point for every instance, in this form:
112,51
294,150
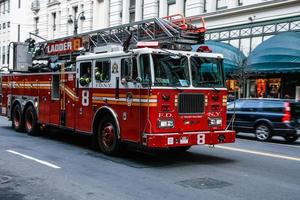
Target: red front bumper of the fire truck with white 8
165,140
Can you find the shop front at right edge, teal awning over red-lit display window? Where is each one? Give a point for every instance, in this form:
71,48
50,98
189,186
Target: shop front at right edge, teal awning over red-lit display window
275,68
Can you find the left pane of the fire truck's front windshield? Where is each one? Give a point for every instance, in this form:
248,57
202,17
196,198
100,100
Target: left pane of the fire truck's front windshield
171,70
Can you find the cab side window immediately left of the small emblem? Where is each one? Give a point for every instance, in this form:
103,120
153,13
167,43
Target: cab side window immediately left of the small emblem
102,71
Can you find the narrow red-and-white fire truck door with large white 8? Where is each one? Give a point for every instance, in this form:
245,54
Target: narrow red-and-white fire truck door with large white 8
83,109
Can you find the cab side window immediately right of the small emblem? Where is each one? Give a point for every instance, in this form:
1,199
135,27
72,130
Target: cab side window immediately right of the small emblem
129,68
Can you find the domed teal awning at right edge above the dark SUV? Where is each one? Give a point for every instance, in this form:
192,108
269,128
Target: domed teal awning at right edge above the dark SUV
279,54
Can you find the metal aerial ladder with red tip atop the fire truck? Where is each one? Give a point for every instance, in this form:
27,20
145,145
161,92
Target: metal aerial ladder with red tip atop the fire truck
170,30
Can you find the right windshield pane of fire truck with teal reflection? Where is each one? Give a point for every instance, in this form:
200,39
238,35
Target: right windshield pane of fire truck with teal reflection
207,72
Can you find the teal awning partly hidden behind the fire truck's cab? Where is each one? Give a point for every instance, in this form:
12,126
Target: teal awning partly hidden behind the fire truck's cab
233,57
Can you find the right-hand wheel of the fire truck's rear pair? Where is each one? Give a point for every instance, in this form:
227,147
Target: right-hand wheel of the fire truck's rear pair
31,125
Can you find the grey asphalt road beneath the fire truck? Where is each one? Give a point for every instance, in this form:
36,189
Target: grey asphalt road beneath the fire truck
63,167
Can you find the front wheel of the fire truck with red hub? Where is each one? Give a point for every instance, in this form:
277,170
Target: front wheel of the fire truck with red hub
107,137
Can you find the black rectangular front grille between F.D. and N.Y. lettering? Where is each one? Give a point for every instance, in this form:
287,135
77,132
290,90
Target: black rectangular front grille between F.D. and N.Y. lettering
190,103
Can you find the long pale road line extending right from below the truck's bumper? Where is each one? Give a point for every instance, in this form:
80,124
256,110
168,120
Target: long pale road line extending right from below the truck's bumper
260,153
